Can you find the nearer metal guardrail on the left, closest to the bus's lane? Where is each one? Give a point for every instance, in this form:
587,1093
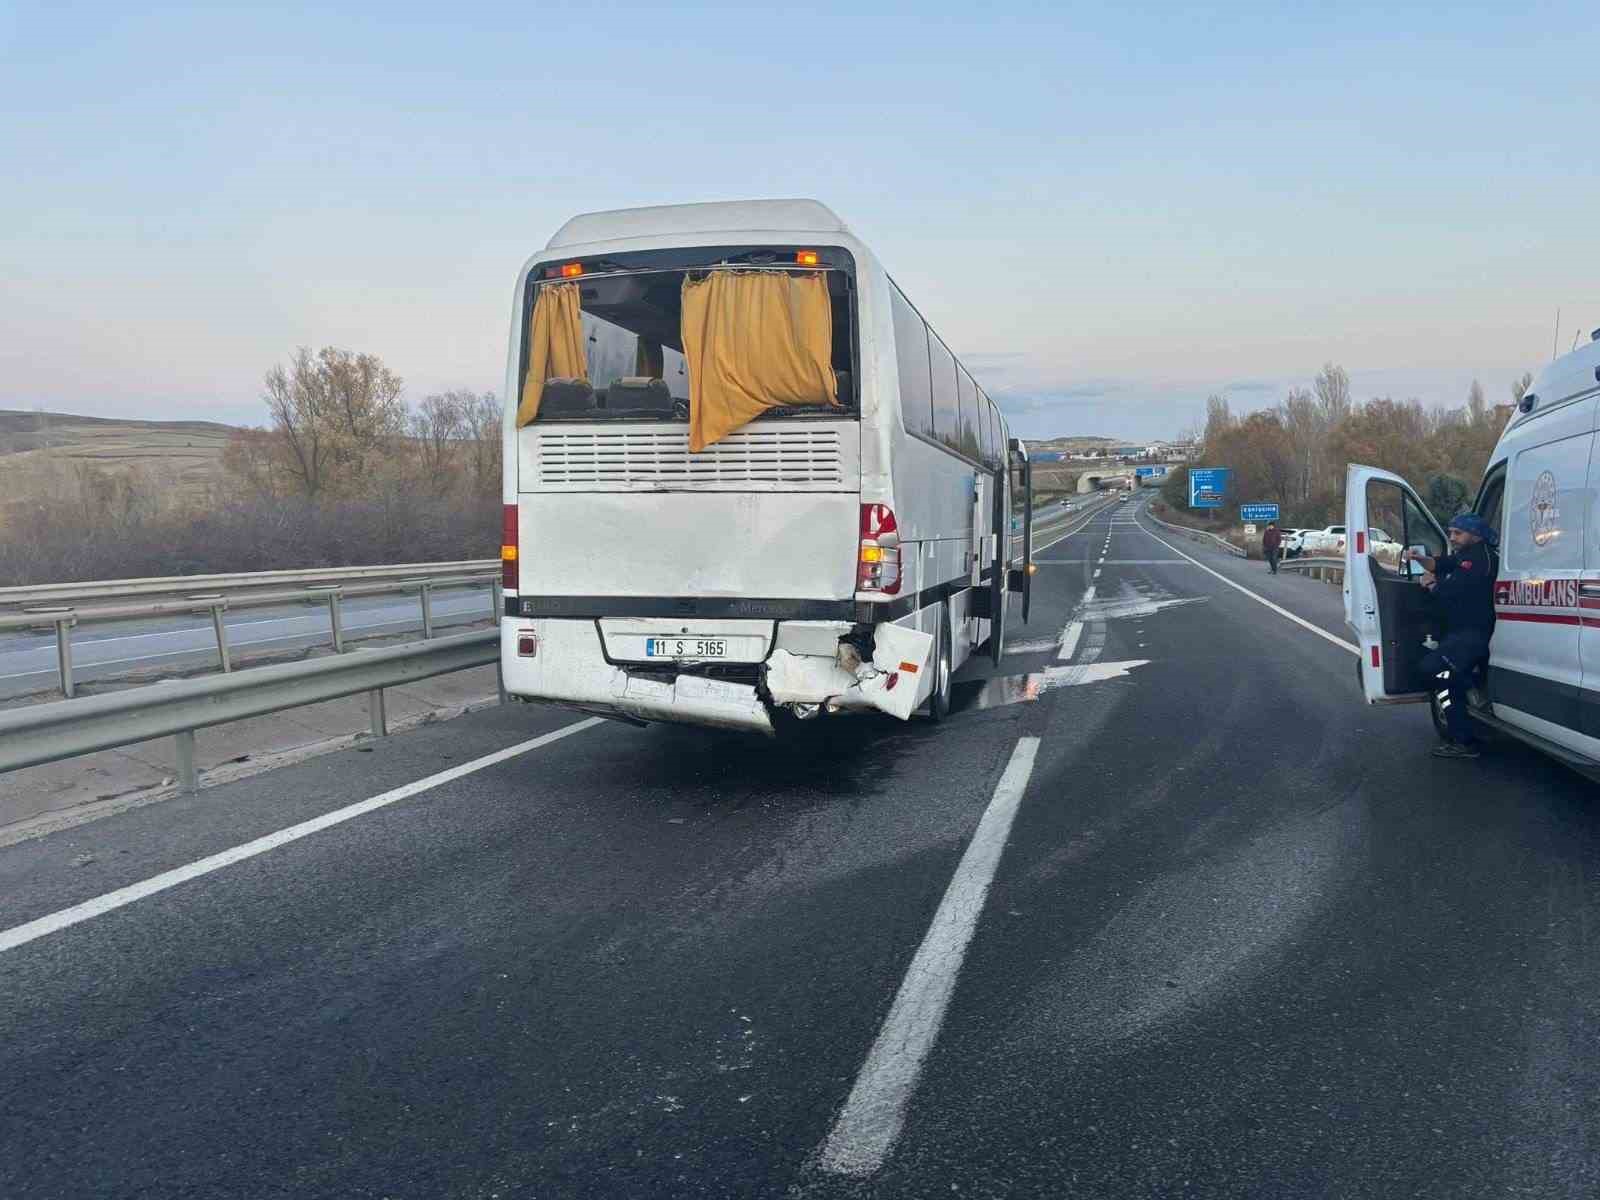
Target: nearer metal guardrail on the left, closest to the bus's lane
66,729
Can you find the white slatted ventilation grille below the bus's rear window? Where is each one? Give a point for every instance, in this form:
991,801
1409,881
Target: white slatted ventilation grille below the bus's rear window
663,460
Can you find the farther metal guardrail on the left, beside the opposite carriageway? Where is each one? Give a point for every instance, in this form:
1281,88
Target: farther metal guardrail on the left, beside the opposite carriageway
366,582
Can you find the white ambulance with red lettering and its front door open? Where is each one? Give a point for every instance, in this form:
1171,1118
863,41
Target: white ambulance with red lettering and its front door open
1543,679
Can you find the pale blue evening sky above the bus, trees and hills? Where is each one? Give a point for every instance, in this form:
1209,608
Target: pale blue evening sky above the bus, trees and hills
1110,214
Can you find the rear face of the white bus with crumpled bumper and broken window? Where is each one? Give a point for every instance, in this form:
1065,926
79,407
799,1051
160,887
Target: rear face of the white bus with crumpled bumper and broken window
655,583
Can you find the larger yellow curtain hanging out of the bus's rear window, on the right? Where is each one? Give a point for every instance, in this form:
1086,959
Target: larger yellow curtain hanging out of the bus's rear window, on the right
754,340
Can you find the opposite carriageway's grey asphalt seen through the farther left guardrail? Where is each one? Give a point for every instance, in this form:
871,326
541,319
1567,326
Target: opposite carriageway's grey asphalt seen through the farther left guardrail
116,649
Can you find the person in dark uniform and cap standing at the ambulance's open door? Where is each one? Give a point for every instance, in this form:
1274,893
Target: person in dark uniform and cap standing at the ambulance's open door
1463,585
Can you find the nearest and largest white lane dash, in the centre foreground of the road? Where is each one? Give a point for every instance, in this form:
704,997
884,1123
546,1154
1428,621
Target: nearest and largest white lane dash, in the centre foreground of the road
876,1113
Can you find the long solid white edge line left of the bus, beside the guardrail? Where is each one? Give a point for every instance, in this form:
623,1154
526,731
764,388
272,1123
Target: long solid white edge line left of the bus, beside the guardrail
20,935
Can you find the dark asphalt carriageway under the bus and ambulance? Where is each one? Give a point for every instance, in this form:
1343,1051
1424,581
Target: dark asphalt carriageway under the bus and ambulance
1244,938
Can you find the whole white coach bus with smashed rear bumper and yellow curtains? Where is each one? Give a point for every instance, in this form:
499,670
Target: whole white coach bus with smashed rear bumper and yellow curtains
855,521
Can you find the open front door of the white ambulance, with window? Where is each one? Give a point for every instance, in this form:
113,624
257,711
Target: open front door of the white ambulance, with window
1385,602
